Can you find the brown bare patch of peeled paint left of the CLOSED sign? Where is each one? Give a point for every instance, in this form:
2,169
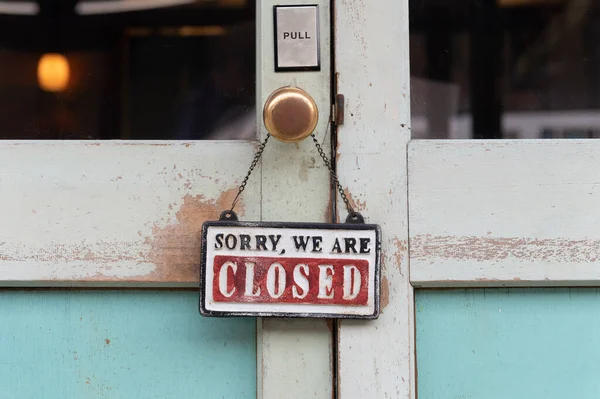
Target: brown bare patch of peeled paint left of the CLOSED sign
175,248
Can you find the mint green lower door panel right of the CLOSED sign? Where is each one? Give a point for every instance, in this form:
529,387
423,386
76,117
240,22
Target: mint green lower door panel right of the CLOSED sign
508,343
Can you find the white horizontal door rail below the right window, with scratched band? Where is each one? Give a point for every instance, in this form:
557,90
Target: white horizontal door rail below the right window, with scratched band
504,213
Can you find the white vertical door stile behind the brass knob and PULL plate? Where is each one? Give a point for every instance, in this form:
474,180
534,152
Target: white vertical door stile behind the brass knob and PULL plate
294,355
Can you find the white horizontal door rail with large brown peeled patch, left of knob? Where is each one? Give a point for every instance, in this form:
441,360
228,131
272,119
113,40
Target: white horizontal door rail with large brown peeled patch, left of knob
113,213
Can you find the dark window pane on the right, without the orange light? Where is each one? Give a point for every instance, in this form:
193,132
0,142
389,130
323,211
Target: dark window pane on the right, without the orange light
505,68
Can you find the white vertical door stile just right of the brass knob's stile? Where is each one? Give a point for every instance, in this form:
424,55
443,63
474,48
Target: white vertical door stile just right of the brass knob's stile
376,357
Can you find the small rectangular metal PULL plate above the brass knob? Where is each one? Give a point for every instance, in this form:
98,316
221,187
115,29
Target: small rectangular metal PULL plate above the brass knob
297,45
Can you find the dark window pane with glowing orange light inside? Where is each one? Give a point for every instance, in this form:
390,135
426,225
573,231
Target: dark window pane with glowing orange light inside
127,69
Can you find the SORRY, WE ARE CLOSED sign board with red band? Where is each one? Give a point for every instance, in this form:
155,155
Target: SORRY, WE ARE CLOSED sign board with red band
290,270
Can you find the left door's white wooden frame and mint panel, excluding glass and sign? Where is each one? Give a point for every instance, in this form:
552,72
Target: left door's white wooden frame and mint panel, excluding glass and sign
99,257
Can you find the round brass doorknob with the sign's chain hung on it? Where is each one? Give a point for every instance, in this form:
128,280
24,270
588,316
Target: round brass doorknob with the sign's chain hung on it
290,114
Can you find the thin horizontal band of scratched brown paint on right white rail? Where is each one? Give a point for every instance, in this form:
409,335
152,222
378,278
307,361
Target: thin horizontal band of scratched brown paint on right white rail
485,249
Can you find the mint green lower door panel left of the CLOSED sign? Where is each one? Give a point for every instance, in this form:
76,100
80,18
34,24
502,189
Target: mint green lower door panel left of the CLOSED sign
121,344
